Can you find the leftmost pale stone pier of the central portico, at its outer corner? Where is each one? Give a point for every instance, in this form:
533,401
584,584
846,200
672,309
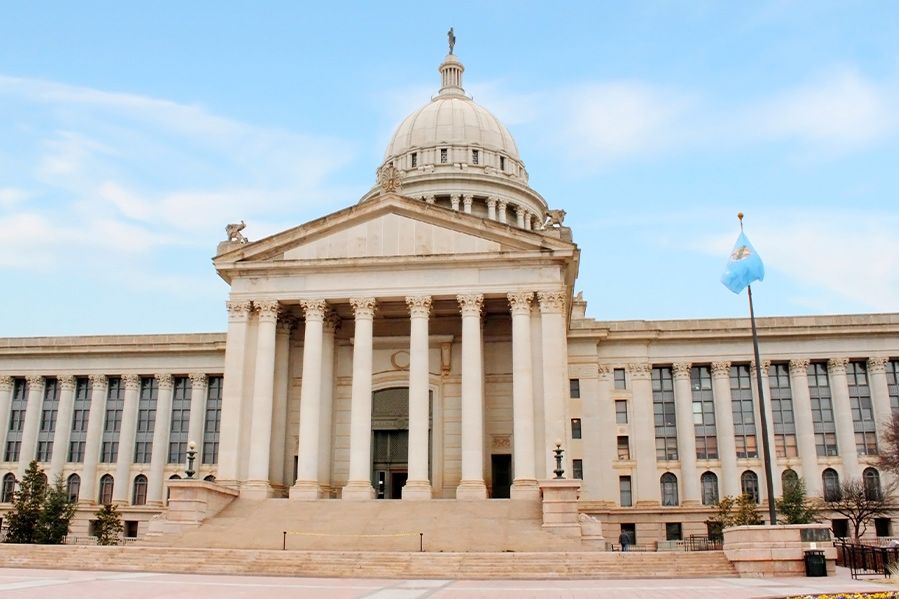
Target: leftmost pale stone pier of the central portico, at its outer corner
233,393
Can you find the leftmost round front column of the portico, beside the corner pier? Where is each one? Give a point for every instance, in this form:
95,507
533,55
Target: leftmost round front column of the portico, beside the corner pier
258,484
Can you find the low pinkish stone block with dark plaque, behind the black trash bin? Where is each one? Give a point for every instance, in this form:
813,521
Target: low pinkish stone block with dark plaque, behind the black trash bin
762,551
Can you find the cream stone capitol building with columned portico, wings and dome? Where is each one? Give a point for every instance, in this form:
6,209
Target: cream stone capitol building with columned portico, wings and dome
429,343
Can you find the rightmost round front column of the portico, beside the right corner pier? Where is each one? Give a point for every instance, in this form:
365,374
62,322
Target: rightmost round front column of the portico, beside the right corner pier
524,485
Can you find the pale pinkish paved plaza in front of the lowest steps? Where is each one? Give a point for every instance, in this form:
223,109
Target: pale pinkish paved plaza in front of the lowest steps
36,584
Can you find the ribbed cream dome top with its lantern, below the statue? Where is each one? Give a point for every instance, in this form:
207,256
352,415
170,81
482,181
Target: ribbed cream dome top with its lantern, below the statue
452,118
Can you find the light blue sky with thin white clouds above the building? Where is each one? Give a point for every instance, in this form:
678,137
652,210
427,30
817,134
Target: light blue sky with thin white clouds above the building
130,135
